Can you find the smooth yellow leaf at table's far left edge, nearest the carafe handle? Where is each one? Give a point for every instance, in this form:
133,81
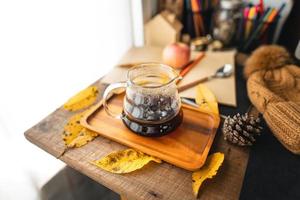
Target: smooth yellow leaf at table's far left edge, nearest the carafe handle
82,100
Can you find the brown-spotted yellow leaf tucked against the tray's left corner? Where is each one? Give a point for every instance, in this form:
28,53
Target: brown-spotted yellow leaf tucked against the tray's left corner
75,135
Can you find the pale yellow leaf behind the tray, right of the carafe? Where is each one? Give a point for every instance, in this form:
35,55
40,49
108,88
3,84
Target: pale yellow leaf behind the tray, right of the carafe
206,99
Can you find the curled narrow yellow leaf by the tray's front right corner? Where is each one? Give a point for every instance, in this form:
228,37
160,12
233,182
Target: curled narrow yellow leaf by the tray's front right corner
210,168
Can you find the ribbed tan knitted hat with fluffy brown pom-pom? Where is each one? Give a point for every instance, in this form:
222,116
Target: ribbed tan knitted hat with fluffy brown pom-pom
275,92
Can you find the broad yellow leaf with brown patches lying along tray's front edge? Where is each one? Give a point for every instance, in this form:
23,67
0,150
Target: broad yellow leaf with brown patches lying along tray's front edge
124,161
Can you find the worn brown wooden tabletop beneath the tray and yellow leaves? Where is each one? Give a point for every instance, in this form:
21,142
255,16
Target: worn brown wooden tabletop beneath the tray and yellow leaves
154,181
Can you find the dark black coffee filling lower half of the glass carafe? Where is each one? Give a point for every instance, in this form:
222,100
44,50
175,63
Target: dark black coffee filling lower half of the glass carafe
152,115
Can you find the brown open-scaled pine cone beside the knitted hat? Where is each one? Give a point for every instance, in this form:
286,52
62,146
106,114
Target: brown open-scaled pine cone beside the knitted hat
241,129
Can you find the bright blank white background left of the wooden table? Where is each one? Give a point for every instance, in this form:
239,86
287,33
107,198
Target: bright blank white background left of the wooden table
49,50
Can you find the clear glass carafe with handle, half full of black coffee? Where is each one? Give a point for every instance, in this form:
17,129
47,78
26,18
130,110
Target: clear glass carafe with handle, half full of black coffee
151,105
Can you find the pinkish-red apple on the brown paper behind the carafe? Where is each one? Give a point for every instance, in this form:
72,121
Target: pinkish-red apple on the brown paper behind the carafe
176,55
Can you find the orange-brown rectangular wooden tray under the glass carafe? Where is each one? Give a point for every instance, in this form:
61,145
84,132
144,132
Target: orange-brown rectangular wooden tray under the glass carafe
186,147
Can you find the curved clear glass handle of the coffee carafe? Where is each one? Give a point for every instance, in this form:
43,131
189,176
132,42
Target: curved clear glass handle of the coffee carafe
109,91
